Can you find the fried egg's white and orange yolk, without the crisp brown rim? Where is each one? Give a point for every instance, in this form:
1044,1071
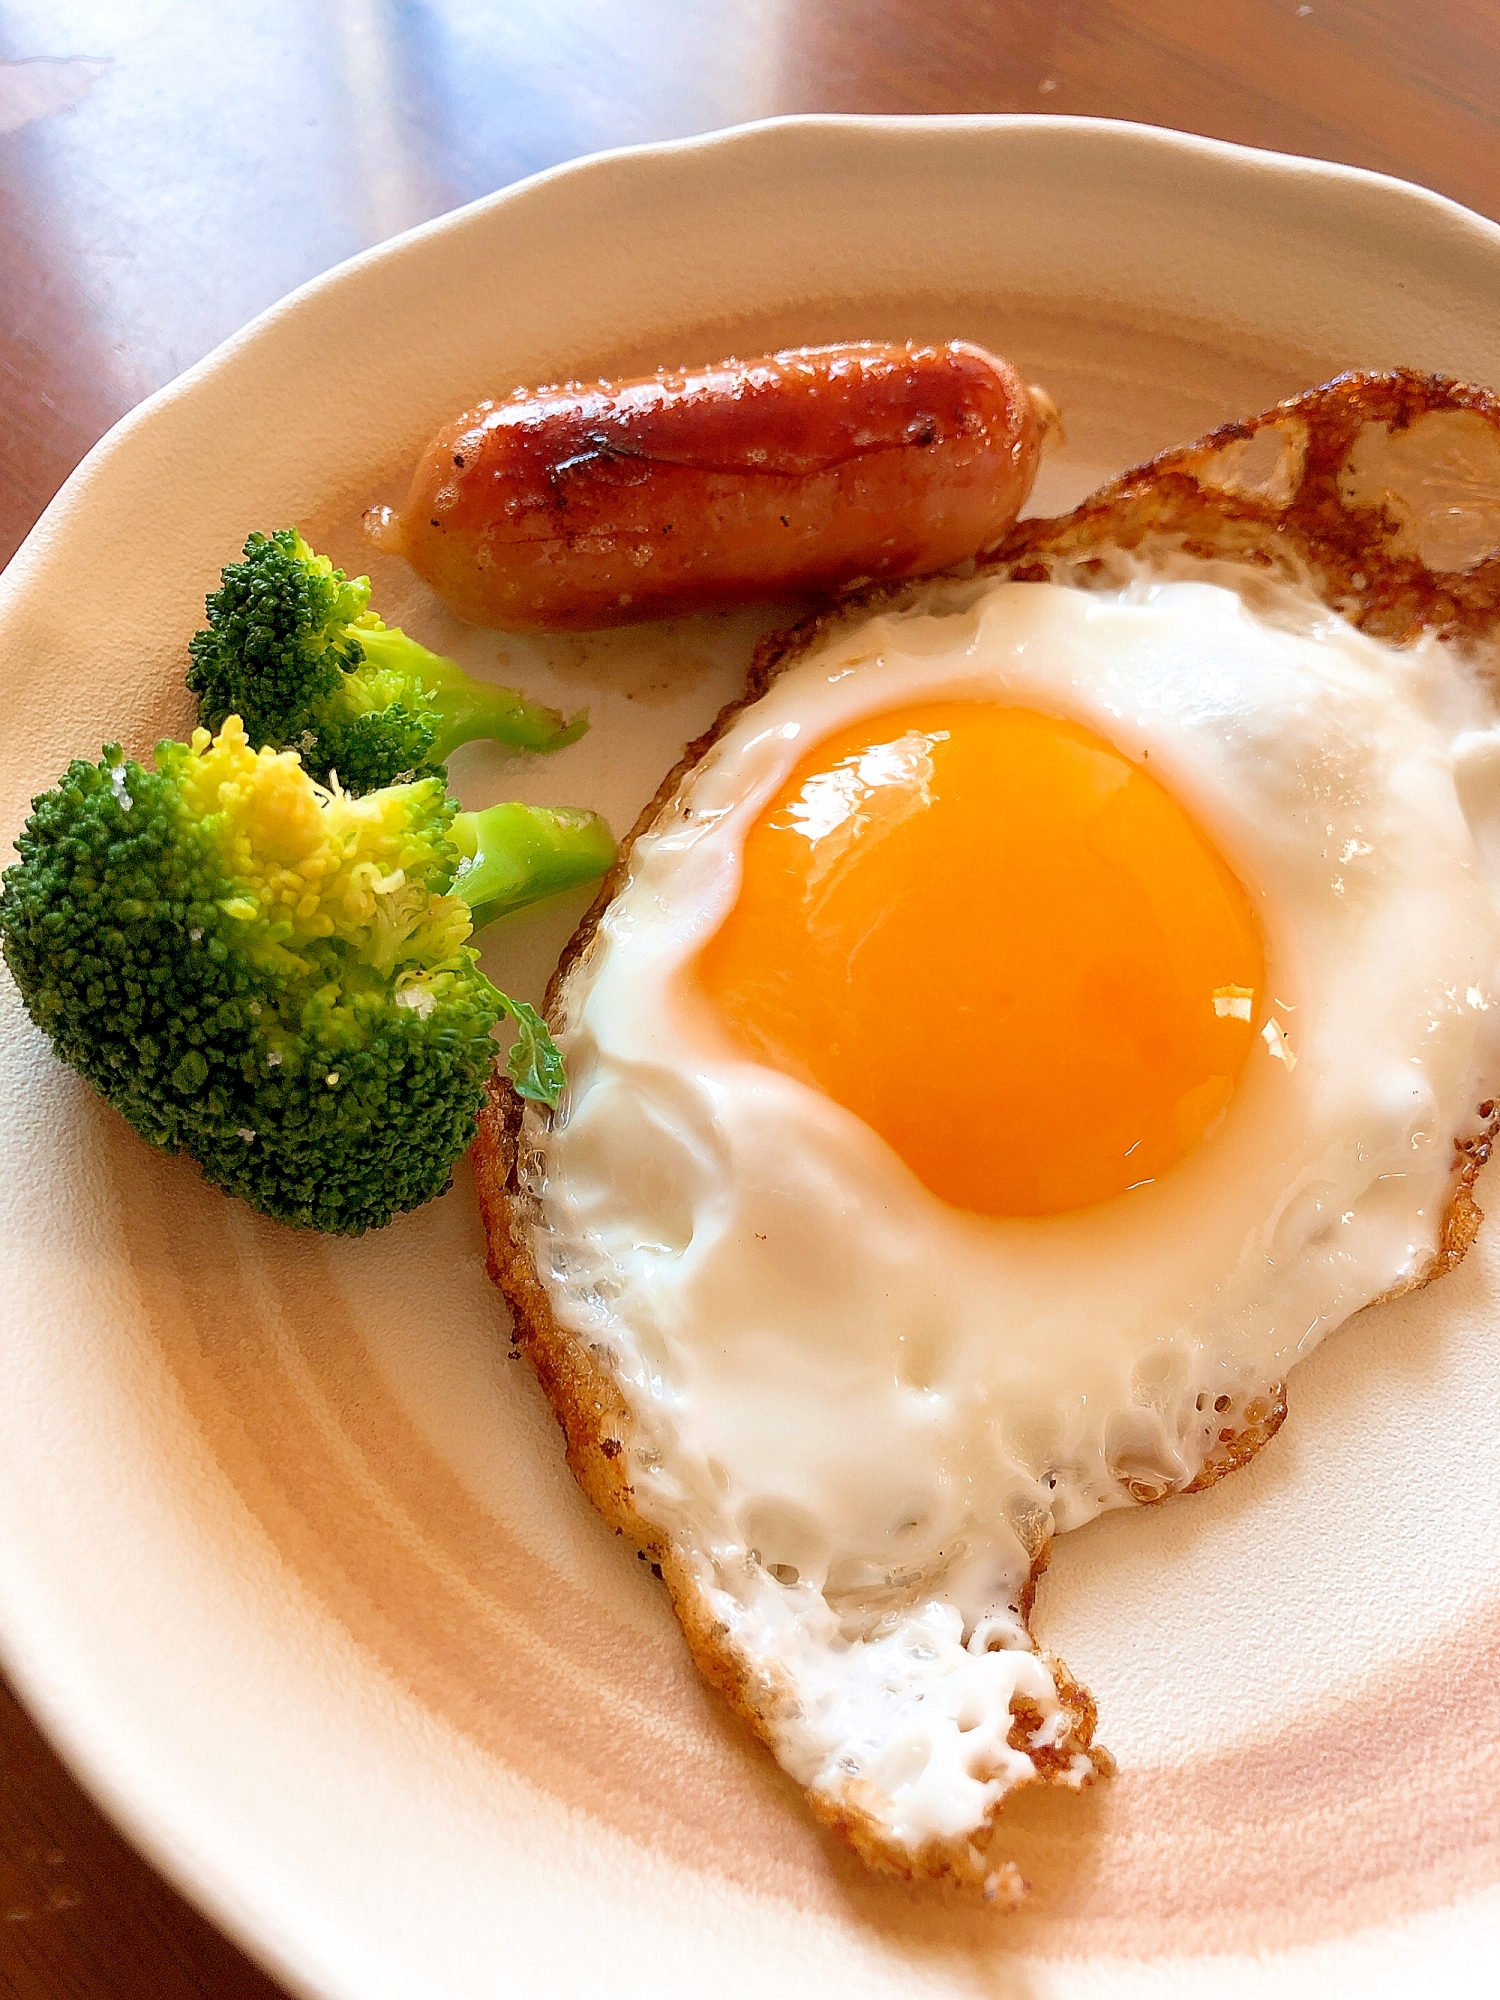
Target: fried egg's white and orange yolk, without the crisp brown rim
1027,1033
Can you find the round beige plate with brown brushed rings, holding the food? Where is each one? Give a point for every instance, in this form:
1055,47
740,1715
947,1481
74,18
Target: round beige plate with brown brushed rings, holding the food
289,1559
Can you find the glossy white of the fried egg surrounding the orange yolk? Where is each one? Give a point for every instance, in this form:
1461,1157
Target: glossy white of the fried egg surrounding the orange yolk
861,1413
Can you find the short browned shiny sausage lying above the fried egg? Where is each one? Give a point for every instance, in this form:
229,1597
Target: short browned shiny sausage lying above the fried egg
797,473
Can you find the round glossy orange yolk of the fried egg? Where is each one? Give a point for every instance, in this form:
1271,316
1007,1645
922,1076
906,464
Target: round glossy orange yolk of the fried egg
1003,945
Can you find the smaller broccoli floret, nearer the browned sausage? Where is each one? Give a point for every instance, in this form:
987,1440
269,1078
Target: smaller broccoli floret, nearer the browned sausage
297,653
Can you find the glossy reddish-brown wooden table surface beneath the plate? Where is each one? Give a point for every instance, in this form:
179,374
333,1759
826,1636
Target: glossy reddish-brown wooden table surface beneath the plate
165,173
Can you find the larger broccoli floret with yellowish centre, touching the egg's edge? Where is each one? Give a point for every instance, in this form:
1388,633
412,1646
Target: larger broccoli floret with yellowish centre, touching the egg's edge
275,977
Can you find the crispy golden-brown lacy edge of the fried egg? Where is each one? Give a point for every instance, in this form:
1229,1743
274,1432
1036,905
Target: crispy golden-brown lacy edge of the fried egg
1275,505
